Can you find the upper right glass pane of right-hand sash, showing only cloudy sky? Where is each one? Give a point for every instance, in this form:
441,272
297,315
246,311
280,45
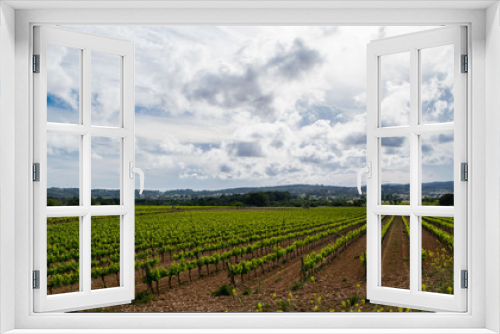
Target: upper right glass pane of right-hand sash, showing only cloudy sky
437,84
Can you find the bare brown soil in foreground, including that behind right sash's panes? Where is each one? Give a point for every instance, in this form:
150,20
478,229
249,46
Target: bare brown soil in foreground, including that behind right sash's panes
338,285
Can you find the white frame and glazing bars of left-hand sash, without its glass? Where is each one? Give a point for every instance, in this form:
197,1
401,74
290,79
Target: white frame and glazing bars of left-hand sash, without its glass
86,44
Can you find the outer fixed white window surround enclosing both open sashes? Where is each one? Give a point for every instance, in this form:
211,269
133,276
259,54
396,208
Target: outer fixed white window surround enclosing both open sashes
484,50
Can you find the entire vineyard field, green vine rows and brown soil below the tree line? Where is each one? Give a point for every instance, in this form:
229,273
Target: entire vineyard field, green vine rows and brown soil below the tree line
221,259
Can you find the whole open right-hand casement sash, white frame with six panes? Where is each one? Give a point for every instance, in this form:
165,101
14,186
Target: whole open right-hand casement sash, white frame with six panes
416,100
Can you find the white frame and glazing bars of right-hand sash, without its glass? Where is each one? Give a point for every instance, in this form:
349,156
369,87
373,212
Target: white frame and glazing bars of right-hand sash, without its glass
412,44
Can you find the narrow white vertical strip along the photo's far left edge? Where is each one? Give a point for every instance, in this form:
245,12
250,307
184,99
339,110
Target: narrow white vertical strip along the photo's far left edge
7,159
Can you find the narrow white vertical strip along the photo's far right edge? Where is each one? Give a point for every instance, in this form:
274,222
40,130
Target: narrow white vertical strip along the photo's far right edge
492,165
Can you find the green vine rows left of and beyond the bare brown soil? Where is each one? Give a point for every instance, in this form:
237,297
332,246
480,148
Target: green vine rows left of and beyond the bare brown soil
190,240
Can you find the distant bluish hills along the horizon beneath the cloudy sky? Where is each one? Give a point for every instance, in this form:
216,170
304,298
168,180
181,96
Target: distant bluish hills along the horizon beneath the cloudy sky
320,191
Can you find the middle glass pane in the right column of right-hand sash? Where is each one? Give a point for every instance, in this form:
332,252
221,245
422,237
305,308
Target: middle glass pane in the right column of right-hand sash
437,169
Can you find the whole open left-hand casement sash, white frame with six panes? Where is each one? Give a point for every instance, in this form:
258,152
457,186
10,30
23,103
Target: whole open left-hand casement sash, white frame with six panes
84,128
